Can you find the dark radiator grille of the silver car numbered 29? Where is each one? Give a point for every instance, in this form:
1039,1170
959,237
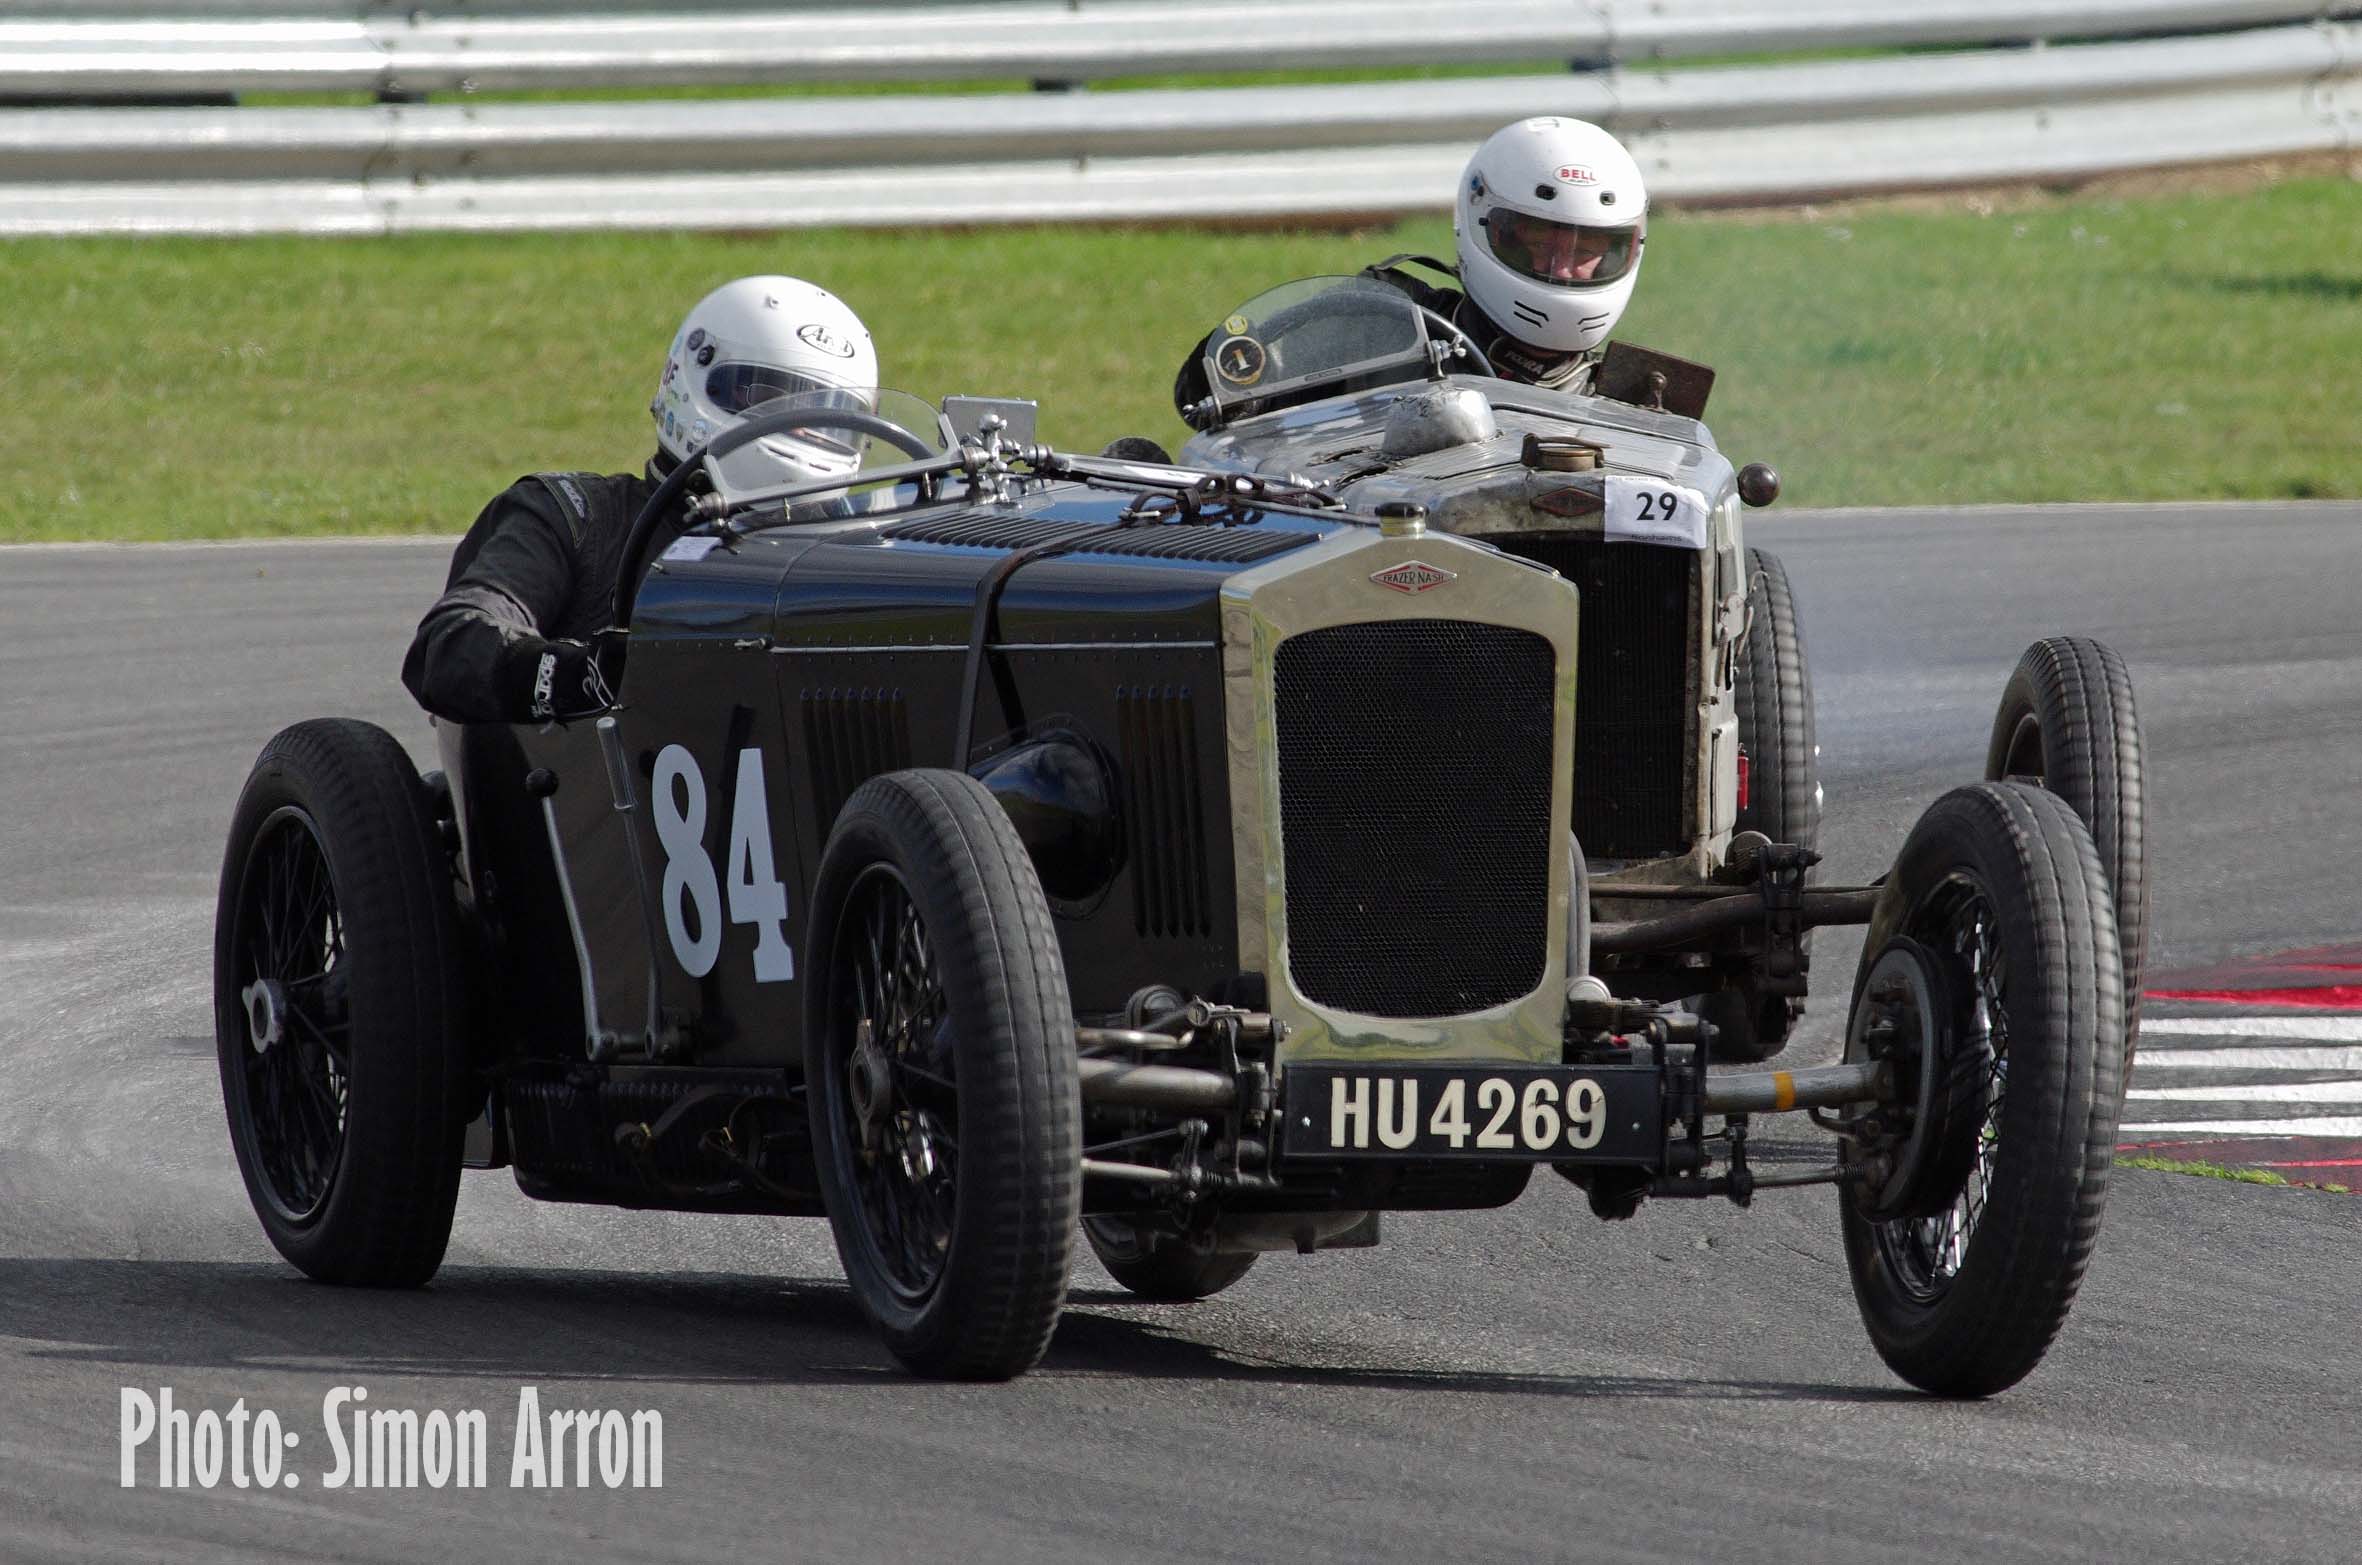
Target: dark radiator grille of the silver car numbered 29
1633,690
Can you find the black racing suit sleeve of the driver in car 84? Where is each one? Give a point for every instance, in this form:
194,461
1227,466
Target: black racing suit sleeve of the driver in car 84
478,650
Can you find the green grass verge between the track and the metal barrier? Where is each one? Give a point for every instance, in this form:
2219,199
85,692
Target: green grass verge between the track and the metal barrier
2080,348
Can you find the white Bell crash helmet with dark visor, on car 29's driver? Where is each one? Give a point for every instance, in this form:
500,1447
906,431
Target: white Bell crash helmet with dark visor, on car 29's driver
1551,223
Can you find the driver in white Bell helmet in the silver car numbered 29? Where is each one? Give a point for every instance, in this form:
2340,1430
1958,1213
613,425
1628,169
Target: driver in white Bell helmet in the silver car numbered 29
1551,228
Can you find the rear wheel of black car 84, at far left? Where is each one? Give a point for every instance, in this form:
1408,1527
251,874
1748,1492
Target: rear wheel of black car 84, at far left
339,1007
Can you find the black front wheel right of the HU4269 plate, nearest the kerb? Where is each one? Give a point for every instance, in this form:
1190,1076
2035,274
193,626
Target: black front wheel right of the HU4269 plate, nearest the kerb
2004,886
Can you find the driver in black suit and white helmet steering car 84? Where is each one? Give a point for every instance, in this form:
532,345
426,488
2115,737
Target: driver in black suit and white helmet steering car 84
530,584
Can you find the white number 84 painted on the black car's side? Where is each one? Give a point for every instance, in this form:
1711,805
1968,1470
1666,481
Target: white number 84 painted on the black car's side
693,891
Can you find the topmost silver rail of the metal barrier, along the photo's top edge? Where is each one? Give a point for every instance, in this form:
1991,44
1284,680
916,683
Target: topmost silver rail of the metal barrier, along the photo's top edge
436,48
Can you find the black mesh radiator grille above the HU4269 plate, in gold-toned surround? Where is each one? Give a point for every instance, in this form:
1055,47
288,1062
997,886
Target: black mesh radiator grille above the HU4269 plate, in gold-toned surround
1416,813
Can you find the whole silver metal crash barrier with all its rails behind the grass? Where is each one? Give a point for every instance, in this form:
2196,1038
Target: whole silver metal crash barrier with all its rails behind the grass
1754,133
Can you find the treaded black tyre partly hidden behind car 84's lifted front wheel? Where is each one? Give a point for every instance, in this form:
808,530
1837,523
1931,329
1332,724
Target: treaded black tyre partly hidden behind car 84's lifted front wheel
2070,723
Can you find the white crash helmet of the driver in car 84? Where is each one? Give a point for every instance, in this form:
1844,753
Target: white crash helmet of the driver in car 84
755,341
